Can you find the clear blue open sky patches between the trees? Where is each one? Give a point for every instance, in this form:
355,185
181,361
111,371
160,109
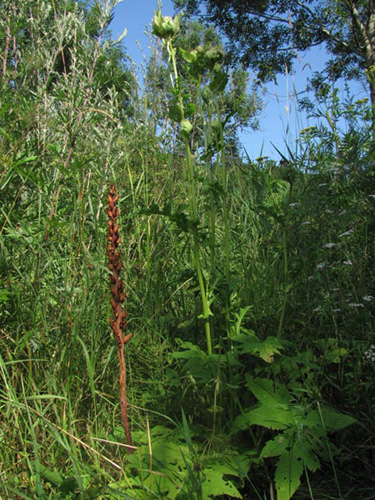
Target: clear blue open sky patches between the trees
280,121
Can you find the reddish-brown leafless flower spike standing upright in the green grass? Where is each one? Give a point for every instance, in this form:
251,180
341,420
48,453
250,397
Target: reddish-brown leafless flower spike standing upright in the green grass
118,322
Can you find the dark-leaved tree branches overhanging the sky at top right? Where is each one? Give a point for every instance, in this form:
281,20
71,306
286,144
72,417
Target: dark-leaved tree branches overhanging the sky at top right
266,34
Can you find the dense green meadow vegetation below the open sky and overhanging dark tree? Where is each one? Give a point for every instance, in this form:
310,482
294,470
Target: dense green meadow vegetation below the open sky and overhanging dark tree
247,329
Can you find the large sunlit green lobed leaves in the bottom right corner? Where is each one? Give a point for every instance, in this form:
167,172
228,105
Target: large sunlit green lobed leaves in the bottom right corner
302,424
